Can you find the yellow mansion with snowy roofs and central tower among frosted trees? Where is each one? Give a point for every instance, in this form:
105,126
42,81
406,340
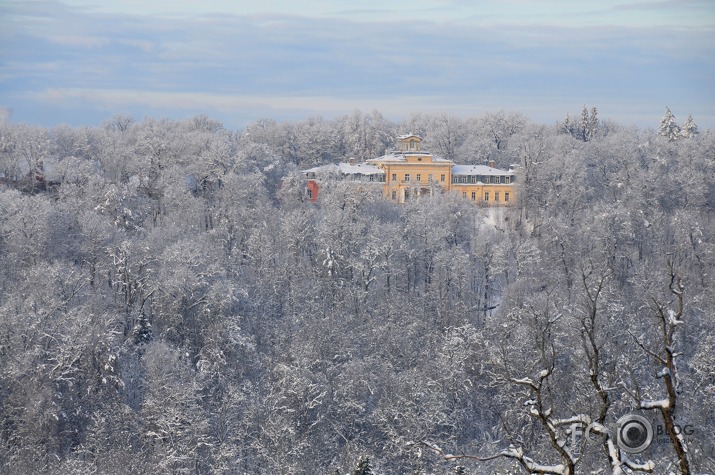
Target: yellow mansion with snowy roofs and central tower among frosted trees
410,172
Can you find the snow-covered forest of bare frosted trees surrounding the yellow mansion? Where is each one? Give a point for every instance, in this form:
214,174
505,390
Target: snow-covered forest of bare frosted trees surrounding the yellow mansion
171,301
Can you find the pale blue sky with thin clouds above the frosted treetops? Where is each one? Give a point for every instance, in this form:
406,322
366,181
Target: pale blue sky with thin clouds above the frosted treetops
80,61
